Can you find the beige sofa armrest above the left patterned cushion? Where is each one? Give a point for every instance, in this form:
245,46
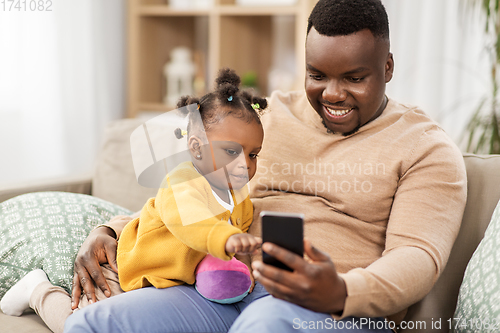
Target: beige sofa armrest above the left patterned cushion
75,184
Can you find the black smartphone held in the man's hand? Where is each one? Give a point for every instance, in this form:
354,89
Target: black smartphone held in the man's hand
285,230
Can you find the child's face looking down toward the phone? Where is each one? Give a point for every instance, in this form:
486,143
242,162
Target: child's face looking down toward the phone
229,161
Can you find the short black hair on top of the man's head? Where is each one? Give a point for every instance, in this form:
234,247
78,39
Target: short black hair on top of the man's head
345,17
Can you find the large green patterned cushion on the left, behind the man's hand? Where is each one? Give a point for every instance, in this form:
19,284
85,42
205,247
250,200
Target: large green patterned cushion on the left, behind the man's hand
45,230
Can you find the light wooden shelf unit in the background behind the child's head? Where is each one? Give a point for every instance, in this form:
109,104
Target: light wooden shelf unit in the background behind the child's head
225,35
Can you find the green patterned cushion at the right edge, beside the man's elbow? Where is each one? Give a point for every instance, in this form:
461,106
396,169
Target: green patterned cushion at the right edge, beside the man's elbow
478,307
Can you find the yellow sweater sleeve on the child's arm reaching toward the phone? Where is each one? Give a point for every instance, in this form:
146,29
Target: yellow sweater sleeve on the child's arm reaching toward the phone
188,214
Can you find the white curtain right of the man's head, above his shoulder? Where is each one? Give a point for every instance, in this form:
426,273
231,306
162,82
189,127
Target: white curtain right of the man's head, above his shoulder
440,61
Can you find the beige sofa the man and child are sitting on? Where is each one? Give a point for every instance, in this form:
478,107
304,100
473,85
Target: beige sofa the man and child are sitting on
114,180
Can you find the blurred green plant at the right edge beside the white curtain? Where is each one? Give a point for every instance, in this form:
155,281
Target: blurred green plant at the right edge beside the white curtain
483,130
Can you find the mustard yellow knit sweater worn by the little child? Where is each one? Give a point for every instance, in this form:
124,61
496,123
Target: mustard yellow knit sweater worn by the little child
176,230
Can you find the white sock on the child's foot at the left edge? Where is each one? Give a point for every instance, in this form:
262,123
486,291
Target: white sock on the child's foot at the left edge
17,298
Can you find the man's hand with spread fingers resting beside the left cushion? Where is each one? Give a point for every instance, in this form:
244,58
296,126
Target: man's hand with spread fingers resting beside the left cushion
98,248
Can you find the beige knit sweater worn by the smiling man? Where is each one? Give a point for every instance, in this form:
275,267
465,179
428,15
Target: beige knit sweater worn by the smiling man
385,203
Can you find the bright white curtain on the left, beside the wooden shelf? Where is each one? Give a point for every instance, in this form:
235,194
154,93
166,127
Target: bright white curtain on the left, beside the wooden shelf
61,81
